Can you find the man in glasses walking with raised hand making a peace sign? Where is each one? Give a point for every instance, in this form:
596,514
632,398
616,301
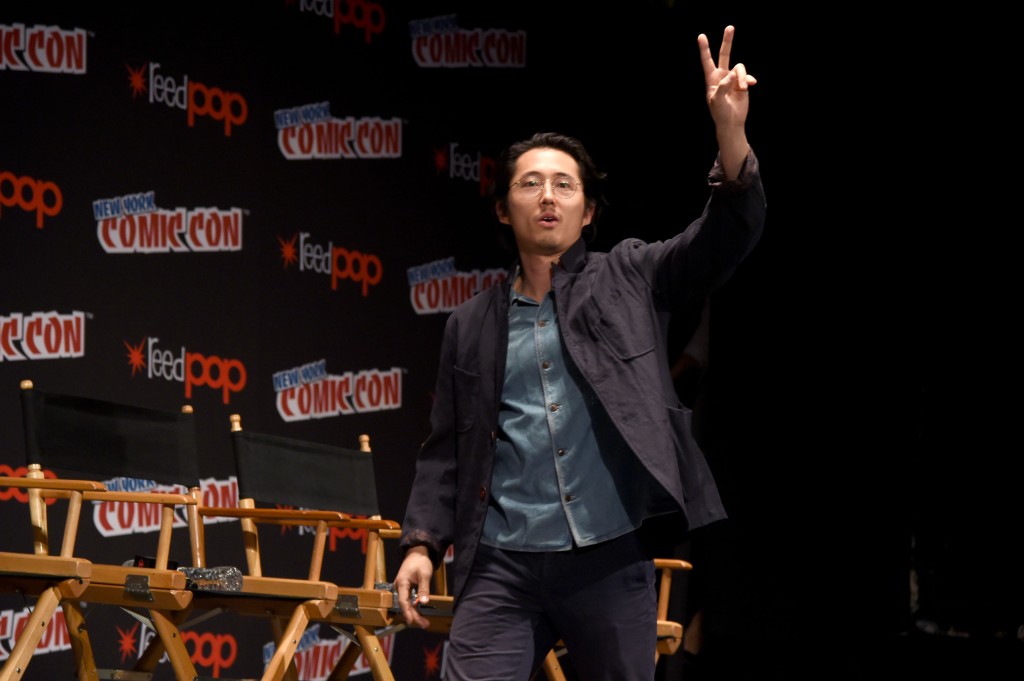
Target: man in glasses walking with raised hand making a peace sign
558,440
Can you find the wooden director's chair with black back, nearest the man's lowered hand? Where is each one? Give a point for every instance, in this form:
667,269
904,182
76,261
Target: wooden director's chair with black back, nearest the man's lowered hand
292,483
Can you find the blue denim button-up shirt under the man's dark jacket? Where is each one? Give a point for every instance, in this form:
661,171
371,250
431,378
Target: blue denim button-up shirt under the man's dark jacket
563,474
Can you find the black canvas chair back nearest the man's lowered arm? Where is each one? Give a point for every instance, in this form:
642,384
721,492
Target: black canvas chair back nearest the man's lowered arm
332,478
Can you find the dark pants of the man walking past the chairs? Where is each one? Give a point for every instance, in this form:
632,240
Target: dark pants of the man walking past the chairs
601,601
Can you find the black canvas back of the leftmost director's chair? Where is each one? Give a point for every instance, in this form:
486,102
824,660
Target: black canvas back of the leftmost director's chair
96,439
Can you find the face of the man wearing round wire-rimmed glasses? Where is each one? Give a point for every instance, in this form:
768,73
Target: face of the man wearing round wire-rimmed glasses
548,224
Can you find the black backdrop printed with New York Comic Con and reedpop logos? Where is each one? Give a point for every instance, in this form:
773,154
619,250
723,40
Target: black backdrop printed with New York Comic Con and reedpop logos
270,208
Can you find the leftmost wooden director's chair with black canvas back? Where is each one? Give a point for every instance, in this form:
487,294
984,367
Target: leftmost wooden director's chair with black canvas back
96,441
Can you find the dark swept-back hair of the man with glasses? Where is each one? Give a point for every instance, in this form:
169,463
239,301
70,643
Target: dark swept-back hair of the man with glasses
592,179
